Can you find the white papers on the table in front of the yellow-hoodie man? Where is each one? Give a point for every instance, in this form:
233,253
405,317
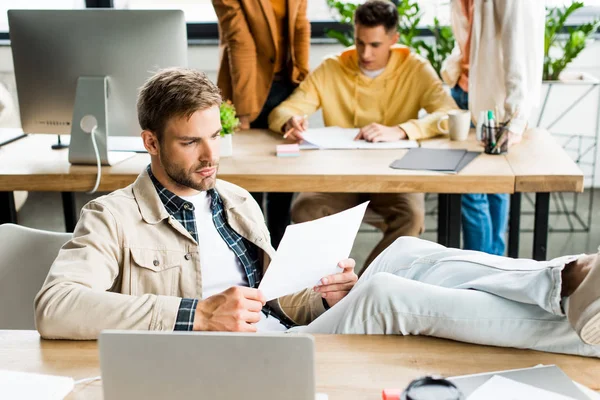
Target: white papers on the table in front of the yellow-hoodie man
343,138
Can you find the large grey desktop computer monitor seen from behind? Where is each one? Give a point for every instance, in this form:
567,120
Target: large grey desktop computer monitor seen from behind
75,63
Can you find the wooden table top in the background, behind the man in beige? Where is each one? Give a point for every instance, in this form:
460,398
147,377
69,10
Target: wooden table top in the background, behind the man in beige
30,164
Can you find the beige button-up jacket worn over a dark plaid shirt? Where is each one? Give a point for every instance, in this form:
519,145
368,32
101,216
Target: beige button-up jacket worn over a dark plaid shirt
130,263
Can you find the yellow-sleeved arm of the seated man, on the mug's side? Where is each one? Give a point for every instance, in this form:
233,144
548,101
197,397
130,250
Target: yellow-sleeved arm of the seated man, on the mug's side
435,100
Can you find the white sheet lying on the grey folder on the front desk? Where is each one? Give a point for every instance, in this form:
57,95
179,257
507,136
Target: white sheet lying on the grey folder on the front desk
501,388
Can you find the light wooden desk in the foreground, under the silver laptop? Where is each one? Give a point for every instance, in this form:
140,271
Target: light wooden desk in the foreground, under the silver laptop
348,367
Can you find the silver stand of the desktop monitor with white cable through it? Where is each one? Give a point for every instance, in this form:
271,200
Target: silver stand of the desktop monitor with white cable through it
91,104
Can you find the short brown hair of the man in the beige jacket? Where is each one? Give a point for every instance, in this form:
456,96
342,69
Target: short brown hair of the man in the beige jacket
174,92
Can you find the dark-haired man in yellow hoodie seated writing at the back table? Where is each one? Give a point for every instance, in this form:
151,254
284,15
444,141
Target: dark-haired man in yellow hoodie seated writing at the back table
377,86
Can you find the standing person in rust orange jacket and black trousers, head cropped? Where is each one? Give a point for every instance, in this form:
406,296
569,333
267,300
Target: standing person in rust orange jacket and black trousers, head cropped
264,56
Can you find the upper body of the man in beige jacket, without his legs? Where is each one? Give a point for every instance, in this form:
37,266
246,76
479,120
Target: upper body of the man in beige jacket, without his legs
143,257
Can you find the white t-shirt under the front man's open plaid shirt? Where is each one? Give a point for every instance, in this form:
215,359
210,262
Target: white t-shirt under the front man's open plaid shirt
221,269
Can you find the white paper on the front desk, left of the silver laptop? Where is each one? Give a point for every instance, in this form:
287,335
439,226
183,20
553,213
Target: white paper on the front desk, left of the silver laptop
28,386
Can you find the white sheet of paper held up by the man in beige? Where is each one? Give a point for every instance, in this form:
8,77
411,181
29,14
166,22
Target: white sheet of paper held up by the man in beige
310,251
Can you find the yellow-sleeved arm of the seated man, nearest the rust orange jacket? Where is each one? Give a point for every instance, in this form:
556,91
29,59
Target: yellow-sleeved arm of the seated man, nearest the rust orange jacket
305,100
